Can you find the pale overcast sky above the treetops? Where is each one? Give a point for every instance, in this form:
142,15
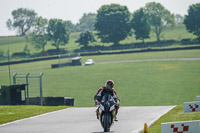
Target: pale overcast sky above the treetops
74,9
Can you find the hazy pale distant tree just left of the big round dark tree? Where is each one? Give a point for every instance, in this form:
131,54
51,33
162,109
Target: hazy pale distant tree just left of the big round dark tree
86,22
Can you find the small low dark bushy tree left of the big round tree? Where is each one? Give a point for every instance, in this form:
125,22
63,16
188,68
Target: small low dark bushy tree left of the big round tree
85,38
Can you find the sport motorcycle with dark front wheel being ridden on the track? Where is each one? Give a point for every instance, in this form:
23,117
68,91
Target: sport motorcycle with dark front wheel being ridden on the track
107,112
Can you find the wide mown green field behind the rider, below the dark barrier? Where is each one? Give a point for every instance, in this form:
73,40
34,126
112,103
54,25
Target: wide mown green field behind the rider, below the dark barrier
137,83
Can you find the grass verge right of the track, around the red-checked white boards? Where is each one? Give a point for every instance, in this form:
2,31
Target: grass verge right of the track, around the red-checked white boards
176,114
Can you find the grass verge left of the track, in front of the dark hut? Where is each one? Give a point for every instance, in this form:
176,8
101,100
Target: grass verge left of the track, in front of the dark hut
12,113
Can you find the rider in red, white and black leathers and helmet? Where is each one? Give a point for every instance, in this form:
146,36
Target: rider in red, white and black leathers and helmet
108,88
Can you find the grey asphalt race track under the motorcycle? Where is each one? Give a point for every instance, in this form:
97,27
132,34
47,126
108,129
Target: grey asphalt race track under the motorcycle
83,120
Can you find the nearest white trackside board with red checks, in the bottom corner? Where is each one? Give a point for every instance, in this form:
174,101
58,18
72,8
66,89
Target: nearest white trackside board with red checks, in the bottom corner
181,127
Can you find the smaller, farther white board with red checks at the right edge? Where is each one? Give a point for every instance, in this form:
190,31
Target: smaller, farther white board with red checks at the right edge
192,106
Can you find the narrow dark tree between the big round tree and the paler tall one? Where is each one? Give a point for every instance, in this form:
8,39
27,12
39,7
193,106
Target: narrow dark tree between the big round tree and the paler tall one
140,25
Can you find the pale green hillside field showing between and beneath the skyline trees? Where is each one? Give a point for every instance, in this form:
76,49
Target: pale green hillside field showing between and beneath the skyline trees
17,43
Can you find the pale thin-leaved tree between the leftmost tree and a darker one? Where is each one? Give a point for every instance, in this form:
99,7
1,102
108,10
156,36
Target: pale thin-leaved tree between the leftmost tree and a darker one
39,36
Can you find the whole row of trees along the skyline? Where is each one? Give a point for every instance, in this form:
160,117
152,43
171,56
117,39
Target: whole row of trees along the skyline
112,23
